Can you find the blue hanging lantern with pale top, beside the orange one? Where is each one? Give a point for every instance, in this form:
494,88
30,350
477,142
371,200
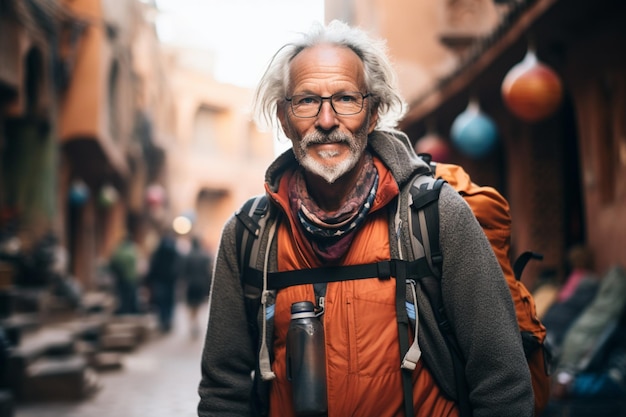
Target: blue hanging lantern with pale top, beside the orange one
473,132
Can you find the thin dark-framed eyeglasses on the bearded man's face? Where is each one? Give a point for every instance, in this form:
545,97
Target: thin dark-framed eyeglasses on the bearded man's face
343,103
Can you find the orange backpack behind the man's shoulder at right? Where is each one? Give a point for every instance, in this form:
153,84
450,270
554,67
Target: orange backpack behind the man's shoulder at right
492,212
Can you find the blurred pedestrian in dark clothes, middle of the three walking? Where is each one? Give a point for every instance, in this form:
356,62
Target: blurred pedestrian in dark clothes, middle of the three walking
163,271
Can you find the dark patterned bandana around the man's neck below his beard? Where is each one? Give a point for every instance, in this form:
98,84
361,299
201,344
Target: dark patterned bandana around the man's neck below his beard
331,233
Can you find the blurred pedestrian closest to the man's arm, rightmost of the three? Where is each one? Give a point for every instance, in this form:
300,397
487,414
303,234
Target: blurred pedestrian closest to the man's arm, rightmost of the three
196,274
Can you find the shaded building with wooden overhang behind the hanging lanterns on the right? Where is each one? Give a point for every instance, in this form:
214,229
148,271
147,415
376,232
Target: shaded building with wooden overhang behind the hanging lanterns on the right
561,174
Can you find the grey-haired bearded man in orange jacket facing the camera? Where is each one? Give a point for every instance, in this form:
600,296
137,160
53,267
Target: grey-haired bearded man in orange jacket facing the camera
333,197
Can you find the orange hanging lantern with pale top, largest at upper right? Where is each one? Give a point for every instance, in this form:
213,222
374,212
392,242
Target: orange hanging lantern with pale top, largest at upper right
531,90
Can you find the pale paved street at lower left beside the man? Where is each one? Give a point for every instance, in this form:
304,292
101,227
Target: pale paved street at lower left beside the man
159,379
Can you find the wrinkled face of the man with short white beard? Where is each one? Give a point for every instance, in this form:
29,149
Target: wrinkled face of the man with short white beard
328,145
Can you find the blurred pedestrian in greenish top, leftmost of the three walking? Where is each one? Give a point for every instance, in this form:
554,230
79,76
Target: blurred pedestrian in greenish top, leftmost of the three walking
124,268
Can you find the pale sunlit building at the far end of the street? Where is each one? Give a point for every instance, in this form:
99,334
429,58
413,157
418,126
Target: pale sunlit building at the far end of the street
217,157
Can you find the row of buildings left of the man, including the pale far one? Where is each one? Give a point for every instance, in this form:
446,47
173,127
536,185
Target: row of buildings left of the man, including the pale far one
105,131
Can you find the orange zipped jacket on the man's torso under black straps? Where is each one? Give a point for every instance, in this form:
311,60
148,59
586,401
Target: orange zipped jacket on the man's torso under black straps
362,351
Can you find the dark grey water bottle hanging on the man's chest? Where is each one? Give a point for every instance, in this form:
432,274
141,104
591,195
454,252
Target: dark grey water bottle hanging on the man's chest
306,361
